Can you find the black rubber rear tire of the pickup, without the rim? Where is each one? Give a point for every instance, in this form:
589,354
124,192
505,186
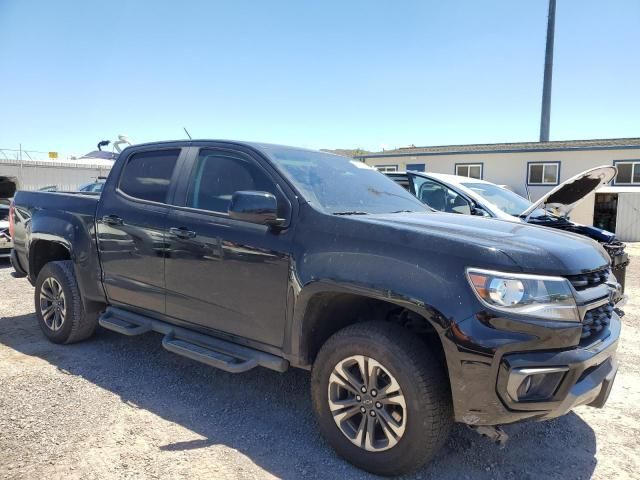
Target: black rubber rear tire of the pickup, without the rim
77,324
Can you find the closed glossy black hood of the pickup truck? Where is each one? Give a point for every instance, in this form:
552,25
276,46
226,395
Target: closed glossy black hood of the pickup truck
534,249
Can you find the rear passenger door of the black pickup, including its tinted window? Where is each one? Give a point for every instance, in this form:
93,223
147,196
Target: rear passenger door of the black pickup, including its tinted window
131,222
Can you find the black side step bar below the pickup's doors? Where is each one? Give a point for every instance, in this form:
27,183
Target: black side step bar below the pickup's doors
212,351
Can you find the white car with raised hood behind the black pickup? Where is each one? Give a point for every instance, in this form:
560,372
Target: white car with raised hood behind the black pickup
472,196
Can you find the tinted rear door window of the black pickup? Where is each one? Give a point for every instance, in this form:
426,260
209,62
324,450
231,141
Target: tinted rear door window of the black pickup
147,175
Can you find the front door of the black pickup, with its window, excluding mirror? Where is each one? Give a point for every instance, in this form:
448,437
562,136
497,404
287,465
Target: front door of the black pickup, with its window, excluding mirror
225,274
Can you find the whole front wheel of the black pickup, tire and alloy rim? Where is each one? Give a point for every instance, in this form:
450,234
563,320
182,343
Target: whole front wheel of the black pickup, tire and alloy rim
381,398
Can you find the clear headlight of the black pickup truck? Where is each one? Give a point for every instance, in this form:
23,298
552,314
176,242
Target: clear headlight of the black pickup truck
550,298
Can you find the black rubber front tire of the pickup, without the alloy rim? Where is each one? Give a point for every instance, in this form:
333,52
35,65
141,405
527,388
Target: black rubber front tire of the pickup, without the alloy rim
422,379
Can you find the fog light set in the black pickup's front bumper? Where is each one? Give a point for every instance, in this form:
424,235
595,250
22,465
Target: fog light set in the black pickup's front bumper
534,384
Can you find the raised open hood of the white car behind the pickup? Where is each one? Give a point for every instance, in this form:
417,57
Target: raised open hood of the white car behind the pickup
563,198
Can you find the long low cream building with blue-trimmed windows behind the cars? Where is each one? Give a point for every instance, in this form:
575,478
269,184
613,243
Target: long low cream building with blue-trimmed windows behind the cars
533,168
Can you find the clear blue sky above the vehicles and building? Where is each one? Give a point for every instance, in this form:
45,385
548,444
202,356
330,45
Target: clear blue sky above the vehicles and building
318,74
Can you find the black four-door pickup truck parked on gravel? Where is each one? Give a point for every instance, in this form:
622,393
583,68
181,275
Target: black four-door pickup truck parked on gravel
248,255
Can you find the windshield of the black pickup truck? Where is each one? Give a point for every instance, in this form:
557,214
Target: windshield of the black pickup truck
341,185
